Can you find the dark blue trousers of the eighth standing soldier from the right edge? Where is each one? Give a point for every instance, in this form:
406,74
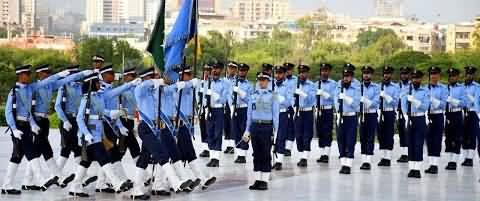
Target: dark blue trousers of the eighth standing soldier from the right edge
347,136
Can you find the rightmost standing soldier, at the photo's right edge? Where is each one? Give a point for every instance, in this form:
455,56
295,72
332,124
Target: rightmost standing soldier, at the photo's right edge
472,91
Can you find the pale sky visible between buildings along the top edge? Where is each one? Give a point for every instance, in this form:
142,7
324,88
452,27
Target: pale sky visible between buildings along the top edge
438,11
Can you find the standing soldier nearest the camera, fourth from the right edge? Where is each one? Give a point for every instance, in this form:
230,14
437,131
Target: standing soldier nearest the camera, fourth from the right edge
415,104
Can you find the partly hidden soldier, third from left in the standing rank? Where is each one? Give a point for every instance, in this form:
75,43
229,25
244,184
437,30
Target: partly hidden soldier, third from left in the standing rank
232,72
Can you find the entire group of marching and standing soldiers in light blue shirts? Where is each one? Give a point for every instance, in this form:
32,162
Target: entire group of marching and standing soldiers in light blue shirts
98,123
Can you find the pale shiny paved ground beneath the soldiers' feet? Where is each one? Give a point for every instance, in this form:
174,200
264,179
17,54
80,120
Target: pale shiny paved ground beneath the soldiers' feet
316,183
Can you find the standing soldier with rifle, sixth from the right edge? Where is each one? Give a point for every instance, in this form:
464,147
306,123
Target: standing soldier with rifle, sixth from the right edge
389,99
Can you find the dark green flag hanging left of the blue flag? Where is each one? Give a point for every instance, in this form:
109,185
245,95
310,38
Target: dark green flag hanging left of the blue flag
155,45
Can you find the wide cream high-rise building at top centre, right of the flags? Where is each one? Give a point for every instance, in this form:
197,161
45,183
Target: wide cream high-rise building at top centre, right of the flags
261,10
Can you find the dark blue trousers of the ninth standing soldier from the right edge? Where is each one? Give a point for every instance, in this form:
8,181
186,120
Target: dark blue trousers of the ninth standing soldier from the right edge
325,128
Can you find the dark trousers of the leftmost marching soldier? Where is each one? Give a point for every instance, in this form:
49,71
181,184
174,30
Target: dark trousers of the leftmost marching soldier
23,147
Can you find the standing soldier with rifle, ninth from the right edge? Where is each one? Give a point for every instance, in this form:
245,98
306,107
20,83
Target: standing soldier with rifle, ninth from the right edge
325,92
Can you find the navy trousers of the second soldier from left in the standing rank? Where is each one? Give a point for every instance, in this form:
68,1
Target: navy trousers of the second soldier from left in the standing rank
215,124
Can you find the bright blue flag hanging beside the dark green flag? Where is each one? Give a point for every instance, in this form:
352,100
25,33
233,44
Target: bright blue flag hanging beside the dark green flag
183,31
